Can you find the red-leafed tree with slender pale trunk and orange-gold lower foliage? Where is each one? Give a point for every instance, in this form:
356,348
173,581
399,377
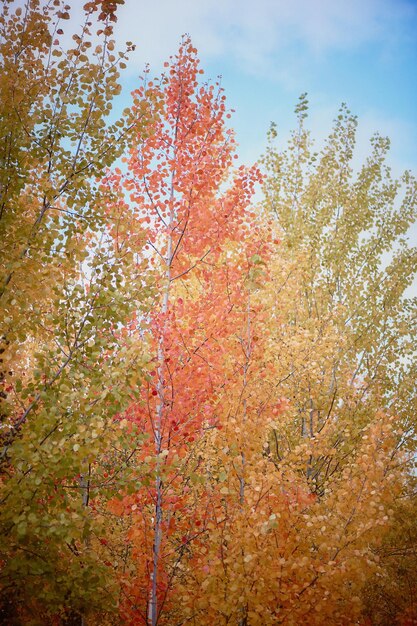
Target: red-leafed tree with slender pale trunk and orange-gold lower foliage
228,482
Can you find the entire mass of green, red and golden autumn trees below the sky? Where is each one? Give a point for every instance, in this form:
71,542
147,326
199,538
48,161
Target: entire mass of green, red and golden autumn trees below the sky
207,406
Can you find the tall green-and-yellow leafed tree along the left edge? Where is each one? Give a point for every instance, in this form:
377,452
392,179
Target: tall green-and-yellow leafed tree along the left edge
65,372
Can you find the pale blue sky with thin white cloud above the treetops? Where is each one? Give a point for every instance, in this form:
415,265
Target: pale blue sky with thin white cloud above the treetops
362,52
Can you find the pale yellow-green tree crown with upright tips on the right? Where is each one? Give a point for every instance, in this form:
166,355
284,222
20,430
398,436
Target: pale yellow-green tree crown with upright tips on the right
345,262
